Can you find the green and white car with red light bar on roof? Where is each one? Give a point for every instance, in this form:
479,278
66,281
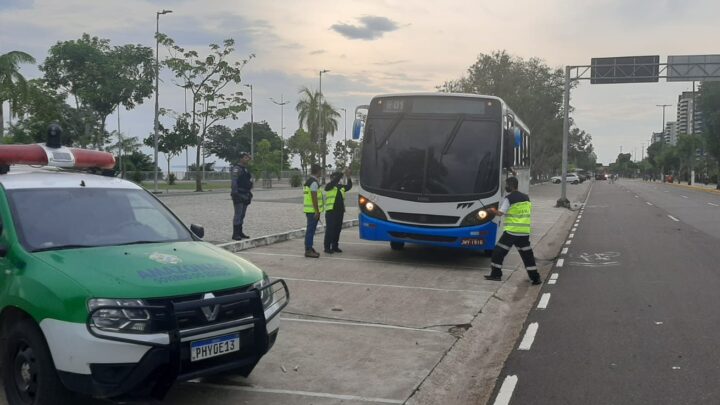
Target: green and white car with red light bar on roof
104,292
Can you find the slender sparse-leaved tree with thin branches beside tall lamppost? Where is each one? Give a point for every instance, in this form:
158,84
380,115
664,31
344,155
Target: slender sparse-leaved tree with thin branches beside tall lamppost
210,79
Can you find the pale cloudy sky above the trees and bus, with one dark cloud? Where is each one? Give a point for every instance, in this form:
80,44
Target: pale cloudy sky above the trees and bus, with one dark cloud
383,46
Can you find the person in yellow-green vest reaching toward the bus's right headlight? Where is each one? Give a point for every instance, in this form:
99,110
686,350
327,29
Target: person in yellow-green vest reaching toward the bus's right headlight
517,210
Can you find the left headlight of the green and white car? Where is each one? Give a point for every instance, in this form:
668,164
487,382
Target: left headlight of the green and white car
119,316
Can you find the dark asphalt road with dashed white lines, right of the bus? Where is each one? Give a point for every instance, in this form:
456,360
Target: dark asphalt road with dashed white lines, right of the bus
632,315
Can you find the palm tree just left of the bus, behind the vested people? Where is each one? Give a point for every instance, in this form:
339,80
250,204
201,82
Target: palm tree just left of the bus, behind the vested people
319,117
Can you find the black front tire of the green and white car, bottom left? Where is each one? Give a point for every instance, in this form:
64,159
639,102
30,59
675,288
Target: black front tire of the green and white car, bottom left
28,371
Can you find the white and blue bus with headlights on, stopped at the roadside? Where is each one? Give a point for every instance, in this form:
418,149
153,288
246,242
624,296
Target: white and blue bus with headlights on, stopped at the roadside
433,163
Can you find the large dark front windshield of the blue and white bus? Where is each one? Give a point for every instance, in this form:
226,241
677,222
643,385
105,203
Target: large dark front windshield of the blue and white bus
431,156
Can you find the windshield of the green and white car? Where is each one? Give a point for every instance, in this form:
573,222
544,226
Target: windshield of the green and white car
63,218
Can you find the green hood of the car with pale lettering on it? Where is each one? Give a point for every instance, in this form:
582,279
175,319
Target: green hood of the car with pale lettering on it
153,270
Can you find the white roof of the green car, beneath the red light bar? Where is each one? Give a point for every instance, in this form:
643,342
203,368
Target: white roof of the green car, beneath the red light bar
27,177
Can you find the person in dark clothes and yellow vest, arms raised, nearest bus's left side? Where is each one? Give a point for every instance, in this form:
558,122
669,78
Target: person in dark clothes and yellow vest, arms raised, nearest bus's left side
335,209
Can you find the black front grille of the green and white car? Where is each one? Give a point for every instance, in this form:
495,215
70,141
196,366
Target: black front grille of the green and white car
193,318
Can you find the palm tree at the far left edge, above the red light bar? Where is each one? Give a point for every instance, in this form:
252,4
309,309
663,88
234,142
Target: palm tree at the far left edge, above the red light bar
13,86
